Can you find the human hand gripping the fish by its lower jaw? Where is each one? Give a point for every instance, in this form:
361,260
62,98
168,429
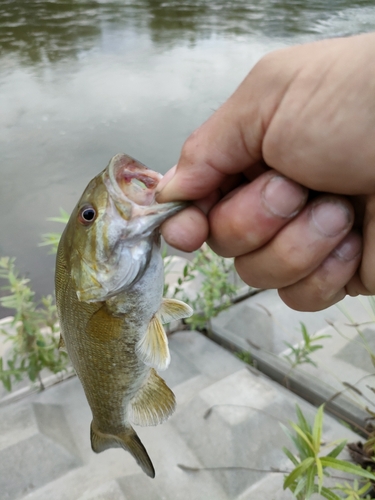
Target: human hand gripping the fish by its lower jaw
308,113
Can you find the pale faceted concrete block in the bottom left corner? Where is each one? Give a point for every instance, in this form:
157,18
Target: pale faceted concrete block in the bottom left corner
31,435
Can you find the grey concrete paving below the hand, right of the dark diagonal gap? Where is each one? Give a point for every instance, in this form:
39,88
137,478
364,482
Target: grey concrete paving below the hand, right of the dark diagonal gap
344,376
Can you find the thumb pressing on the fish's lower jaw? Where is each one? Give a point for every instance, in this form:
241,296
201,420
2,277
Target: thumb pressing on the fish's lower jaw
229,142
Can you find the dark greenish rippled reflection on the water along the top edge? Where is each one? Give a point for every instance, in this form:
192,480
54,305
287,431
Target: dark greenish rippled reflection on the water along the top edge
46,31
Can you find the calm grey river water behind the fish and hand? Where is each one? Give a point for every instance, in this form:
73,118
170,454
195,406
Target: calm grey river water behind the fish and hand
83,80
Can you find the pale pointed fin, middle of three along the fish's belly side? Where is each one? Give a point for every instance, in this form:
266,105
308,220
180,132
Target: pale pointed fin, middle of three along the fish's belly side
153,349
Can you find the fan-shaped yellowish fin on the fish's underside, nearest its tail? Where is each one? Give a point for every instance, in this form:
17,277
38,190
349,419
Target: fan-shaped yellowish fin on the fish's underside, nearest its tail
153,403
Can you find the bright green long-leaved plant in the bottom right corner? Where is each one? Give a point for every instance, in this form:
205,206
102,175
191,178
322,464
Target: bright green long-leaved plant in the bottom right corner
311,467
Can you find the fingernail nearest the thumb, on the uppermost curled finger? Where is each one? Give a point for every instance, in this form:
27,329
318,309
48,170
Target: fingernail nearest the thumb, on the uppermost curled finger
283,197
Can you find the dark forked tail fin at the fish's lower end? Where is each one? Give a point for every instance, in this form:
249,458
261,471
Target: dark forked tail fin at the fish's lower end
128,440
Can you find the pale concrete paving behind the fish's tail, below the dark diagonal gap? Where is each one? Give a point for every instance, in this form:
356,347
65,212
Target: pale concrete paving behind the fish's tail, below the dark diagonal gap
45,451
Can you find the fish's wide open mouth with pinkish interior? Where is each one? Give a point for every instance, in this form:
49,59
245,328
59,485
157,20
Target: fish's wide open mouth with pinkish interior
130,182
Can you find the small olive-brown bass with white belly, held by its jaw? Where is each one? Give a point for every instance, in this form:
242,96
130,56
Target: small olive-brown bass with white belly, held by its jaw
109,295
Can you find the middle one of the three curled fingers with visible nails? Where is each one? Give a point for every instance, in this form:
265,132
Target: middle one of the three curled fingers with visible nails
301,246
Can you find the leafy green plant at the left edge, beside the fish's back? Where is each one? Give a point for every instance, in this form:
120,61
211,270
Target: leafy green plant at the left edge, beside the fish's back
32,333
